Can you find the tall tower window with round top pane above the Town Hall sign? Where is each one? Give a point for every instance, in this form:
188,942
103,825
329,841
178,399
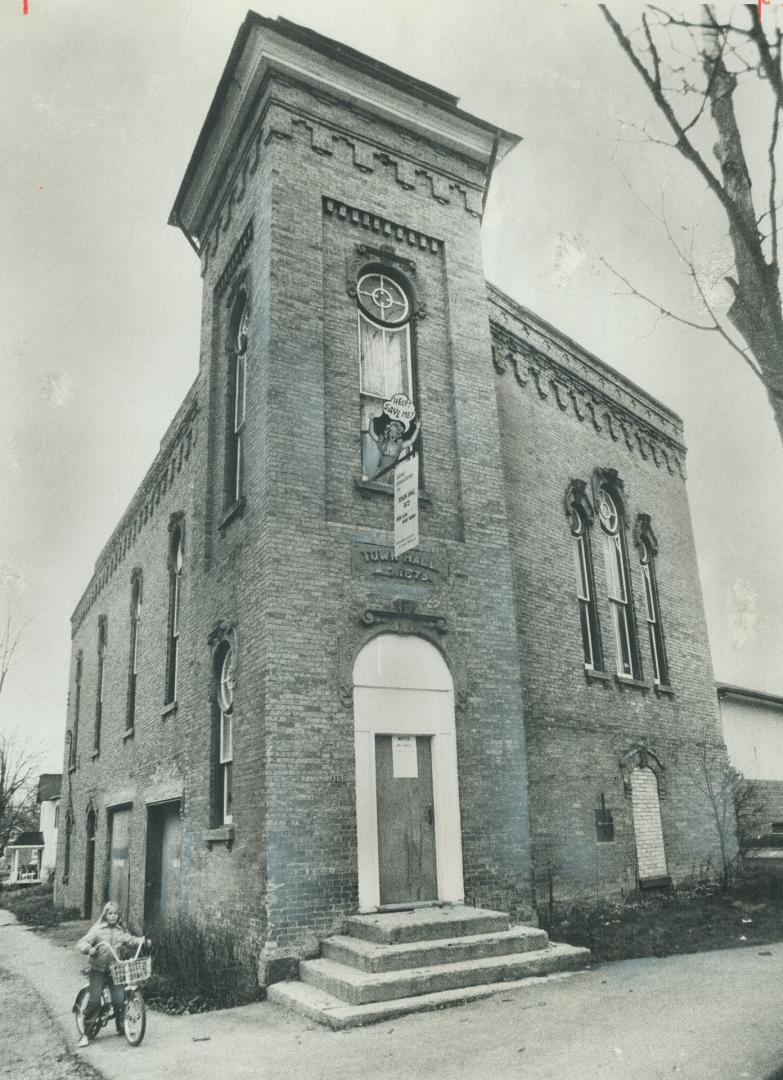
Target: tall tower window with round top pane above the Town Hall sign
386,370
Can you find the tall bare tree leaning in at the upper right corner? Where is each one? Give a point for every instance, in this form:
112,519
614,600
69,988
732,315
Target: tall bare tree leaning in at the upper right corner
692,71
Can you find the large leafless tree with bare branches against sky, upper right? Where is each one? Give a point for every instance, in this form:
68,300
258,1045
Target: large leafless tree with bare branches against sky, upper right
757,313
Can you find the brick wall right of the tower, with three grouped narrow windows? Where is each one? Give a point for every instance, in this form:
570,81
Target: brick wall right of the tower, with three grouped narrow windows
563,415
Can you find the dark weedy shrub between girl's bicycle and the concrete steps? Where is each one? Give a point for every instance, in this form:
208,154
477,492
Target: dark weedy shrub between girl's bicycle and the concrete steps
197,968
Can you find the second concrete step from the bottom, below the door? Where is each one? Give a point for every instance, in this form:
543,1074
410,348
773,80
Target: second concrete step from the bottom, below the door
360,988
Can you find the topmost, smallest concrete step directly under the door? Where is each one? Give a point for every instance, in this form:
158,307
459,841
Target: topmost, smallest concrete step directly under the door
424,924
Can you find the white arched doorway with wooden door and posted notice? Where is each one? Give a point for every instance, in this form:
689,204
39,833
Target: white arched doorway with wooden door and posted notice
408,795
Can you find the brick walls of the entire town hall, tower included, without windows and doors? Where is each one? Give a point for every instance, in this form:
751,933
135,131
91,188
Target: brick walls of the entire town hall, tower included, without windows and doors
315,192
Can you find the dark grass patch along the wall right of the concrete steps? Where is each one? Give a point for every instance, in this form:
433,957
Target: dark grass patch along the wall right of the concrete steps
672,923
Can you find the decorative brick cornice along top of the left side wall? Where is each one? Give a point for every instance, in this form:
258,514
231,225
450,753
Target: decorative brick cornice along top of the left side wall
167,467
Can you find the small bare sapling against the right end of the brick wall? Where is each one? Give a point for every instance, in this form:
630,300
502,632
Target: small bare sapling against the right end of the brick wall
736,805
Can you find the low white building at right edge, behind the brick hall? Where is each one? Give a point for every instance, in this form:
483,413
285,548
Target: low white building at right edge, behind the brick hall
753,732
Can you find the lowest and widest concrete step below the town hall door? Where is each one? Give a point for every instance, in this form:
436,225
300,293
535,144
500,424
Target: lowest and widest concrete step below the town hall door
327,1009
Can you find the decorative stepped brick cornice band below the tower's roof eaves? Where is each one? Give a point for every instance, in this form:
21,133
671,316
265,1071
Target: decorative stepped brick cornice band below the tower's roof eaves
281,121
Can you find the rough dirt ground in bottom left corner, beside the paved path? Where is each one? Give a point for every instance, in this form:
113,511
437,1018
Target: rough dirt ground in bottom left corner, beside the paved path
34,1048
